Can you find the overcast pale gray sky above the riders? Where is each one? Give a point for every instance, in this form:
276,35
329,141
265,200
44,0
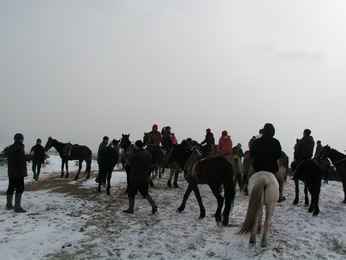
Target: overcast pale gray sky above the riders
77,70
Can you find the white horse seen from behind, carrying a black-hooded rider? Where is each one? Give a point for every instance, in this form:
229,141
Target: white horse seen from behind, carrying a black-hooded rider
264,190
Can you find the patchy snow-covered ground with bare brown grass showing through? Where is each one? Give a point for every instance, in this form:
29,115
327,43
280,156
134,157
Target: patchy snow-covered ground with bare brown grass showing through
68,219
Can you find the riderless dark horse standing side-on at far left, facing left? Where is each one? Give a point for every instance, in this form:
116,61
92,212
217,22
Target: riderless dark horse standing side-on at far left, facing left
70,152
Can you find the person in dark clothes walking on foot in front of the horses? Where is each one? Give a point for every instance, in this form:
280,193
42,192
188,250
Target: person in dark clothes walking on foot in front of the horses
141,164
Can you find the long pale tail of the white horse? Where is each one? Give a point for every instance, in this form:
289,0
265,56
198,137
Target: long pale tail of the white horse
255,203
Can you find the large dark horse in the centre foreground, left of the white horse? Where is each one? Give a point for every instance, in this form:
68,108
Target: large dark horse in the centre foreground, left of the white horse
214,171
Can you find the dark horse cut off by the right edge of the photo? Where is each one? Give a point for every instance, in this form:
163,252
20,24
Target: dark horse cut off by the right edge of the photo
339,161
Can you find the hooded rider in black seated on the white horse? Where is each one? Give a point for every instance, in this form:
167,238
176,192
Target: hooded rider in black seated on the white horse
265,152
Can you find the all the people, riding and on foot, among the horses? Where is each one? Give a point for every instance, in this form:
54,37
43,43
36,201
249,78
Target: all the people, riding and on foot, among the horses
264,149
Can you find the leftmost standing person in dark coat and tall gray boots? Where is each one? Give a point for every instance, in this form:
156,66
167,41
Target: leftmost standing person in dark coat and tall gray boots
17,171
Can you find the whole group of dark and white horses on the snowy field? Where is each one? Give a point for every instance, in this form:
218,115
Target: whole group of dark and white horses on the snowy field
218,172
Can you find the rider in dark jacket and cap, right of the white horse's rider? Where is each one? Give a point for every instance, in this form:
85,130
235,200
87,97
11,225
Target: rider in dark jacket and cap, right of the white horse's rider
304,147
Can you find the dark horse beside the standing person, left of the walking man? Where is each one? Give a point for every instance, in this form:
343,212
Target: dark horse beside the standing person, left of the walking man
108,159
